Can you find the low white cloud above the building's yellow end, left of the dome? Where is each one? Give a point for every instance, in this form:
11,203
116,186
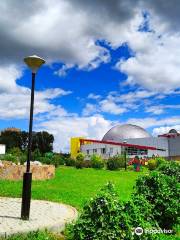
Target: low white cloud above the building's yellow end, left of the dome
63,128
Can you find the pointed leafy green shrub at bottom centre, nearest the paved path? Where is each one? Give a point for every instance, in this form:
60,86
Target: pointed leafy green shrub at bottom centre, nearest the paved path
99,219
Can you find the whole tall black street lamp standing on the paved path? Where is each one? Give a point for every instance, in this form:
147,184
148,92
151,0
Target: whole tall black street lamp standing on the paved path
34,63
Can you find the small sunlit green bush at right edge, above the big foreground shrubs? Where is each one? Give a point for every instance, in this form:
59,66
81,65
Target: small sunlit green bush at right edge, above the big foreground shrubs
171,169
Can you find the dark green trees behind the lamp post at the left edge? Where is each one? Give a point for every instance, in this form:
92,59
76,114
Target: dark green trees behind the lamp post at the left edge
43,141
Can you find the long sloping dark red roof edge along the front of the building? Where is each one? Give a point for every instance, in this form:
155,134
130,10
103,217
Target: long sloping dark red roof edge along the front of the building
119,144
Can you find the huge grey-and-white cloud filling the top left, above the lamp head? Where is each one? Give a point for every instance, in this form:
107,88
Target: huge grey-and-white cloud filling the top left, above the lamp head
63,31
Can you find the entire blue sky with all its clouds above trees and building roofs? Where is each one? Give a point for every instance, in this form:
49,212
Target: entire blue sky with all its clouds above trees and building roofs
103,68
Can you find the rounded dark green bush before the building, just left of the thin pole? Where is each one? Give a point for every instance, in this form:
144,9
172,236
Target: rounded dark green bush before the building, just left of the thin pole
115,162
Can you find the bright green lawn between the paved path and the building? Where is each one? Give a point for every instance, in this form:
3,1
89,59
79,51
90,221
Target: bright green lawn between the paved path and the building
74,186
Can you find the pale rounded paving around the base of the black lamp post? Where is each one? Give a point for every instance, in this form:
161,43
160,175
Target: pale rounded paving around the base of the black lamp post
43,215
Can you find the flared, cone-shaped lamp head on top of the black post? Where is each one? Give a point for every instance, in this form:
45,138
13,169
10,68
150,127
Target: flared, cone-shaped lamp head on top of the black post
34,62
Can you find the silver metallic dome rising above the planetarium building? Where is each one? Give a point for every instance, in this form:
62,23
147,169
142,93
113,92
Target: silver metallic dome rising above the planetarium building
125,131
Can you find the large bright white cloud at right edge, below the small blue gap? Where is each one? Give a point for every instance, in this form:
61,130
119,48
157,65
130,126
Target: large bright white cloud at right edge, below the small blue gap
155,65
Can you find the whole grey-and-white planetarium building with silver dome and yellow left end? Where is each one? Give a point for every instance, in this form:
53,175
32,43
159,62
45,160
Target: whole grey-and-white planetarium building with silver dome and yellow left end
132,139
